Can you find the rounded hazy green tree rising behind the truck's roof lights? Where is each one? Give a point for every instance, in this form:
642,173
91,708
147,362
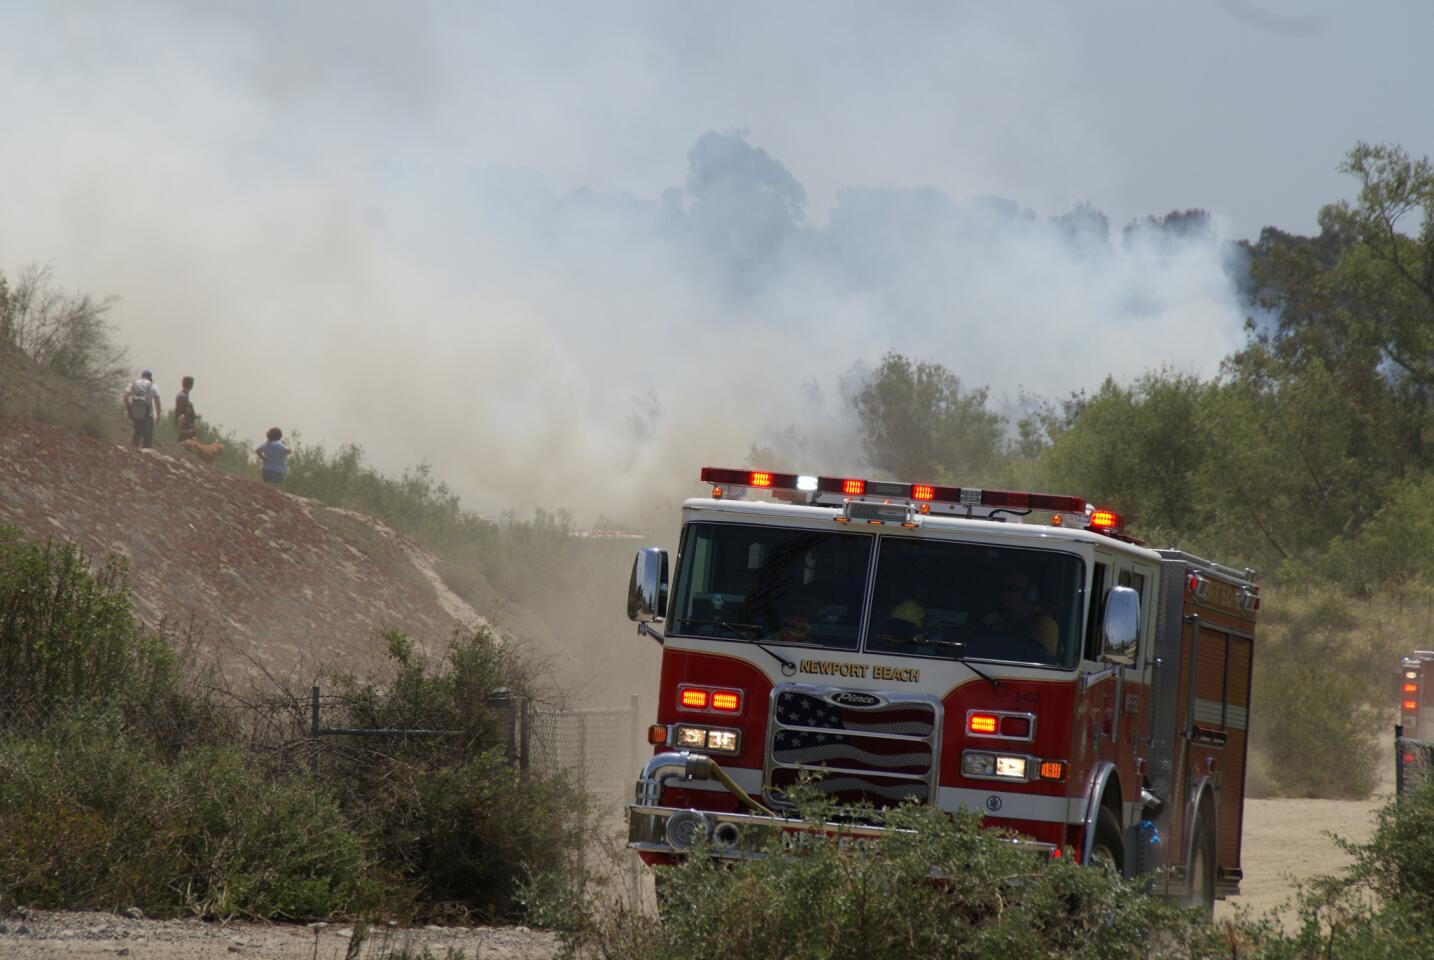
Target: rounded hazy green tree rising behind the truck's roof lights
918,424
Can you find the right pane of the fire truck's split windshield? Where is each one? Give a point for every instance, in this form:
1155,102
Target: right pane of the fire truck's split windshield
941,599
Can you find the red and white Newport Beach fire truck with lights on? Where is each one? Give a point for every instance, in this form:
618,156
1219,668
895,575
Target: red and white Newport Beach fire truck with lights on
1006,652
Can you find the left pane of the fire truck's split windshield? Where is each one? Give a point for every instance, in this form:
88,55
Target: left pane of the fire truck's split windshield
772,585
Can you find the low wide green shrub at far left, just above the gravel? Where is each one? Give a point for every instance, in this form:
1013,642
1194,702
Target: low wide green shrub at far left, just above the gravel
92,817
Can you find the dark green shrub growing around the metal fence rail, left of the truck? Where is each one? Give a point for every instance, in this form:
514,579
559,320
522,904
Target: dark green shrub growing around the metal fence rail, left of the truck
450,817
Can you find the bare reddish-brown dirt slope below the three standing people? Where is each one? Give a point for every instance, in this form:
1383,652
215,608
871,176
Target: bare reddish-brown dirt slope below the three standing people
269,582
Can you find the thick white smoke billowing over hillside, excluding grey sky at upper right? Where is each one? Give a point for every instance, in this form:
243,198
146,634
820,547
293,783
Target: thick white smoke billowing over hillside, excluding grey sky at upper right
296,207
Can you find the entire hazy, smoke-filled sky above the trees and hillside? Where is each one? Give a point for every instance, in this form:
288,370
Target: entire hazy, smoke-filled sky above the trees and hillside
537,246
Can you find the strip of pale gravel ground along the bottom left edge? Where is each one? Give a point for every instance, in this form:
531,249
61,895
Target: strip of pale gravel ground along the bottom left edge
35,935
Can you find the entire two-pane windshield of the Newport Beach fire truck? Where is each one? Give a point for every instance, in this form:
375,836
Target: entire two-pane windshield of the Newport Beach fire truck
931,598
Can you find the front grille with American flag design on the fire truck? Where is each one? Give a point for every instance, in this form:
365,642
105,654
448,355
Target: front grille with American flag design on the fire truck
880,750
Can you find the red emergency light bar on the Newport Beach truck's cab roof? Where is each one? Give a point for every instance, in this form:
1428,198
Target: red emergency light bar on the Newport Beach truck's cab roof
927,499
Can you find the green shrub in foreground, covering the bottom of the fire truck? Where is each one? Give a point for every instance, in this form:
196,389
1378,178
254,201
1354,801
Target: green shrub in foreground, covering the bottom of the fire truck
873,900
